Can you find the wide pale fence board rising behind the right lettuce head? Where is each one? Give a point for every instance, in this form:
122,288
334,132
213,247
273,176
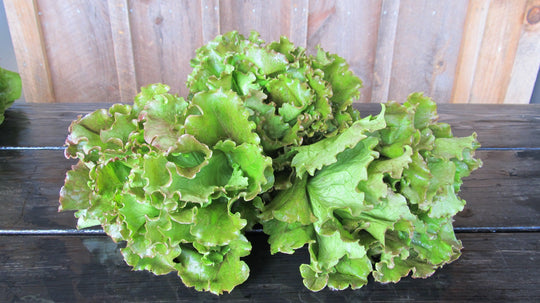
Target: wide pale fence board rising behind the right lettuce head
427,47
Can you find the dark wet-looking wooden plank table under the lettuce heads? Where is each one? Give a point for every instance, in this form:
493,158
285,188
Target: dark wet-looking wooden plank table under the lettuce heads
43,258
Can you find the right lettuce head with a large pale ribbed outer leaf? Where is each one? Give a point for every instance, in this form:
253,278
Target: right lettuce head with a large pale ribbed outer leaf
378,198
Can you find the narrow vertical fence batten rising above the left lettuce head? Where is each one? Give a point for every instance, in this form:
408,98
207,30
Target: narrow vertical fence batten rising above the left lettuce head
123,49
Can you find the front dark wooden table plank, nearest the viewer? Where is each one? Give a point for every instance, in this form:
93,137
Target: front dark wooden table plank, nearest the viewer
493,267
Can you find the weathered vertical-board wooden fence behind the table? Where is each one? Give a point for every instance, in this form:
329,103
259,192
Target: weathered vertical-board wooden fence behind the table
478,51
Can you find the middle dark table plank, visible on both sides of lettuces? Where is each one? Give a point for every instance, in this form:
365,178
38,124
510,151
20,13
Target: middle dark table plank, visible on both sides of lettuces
504,193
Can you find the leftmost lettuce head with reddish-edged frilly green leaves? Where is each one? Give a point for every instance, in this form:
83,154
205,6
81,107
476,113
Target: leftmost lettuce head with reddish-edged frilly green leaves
161,177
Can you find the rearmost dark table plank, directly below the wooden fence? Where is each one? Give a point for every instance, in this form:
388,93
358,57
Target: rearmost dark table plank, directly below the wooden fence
497,126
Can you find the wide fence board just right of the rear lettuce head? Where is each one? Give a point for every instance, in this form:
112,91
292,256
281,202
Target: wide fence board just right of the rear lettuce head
349,29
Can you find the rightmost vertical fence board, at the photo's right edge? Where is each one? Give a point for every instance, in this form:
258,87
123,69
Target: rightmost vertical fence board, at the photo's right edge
527,62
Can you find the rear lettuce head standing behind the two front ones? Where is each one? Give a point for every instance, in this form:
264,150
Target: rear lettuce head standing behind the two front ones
294,99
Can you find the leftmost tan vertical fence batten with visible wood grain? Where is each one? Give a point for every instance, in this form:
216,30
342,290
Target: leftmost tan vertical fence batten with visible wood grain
28,43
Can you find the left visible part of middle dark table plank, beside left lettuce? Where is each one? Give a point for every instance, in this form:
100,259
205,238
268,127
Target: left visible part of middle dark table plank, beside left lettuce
29,190
